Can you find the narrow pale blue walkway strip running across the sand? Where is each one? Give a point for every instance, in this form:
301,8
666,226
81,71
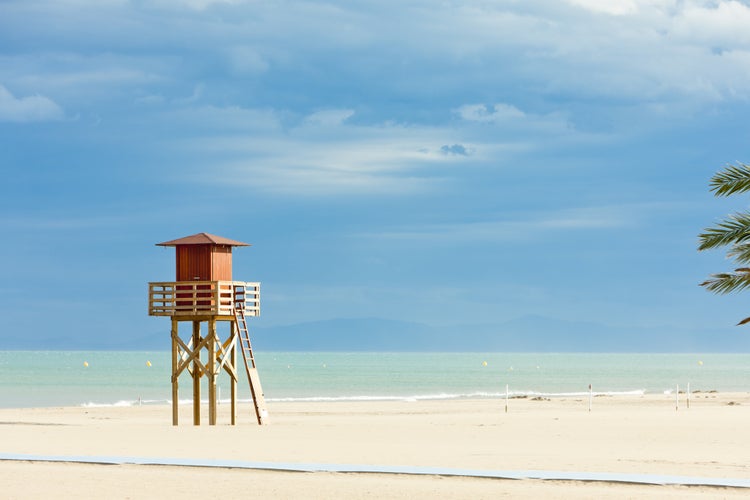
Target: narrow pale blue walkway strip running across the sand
607,477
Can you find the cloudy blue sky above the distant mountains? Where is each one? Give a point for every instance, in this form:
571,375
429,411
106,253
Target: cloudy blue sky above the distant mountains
433,162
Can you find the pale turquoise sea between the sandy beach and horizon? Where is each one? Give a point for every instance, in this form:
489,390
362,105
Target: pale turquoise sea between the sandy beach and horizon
125,378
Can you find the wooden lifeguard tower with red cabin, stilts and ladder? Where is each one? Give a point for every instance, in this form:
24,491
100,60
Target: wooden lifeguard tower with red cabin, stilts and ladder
204,292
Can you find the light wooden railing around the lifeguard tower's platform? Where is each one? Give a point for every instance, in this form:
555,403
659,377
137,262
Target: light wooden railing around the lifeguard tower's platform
203,298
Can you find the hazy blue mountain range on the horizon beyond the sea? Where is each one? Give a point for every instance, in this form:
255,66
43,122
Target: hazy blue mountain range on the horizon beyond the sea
525,334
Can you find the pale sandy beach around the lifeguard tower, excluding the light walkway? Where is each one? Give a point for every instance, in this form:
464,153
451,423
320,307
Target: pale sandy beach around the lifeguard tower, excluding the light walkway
624,434
